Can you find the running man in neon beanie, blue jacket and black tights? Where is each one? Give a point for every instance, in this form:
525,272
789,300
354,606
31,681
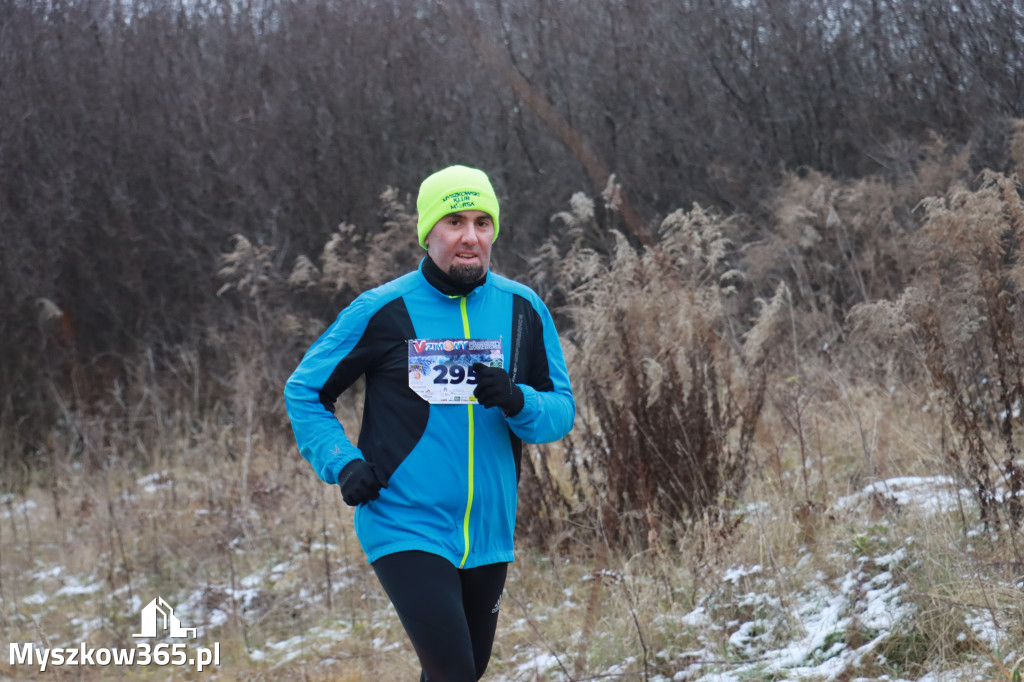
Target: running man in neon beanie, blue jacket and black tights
462,367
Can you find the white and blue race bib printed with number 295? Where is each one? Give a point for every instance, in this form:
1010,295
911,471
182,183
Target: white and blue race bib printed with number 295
441,371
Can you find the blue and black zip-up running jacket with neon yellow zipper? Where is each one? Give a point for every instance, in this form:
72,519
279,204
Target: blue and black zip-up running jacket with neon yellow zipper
451,471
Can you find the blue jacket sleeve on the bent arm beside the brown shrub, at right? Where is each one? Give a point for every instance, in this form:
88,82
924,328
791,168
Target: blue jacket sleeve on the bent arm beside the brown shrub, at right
549,408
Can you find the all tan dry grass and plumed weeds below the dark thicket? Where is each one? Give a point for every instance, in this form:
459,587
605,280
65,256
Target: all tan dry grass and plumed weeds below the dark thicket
736,490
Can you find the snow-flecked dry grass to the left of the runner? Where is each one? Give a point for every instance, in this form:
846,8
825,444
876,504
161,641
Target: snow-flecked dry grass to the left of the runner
268,563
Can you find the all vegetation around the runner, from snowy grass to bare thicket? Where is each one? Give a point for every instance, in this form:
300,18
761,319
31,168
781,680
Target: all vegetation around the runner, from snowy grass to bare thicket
793,319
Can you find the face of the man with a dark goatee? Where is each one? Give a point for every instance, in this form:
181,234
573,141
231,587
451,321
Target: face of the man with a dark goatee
460,245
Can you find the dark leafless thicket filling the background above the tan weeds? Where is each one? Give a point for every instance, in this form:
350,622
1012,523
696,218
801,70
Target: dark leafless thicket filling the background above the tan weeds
140,136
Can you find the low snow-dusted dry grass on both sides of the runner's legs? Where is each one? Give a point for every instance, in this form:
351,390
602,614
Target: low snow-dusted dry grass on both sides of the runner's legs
278,570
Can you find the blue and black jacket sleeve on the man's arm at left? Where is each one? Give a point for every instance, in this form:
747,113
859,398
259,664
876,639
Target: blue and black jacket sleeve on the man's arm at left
333,359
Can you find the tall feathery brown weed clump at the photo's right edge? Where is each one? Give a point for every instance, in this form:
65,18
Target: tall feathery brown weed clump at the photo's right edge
961,317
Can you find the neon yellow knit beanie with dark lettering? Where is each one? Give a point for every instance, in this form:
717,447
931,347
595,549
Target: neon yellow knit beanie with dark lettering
452,190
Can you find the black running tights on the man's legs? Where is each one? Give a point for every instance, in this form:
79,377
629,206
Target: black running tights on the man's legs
449,614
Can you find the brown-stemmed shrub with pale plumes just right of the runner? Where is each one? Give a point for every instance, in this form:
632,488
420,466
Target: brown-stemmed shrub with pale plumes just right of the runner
669,393
